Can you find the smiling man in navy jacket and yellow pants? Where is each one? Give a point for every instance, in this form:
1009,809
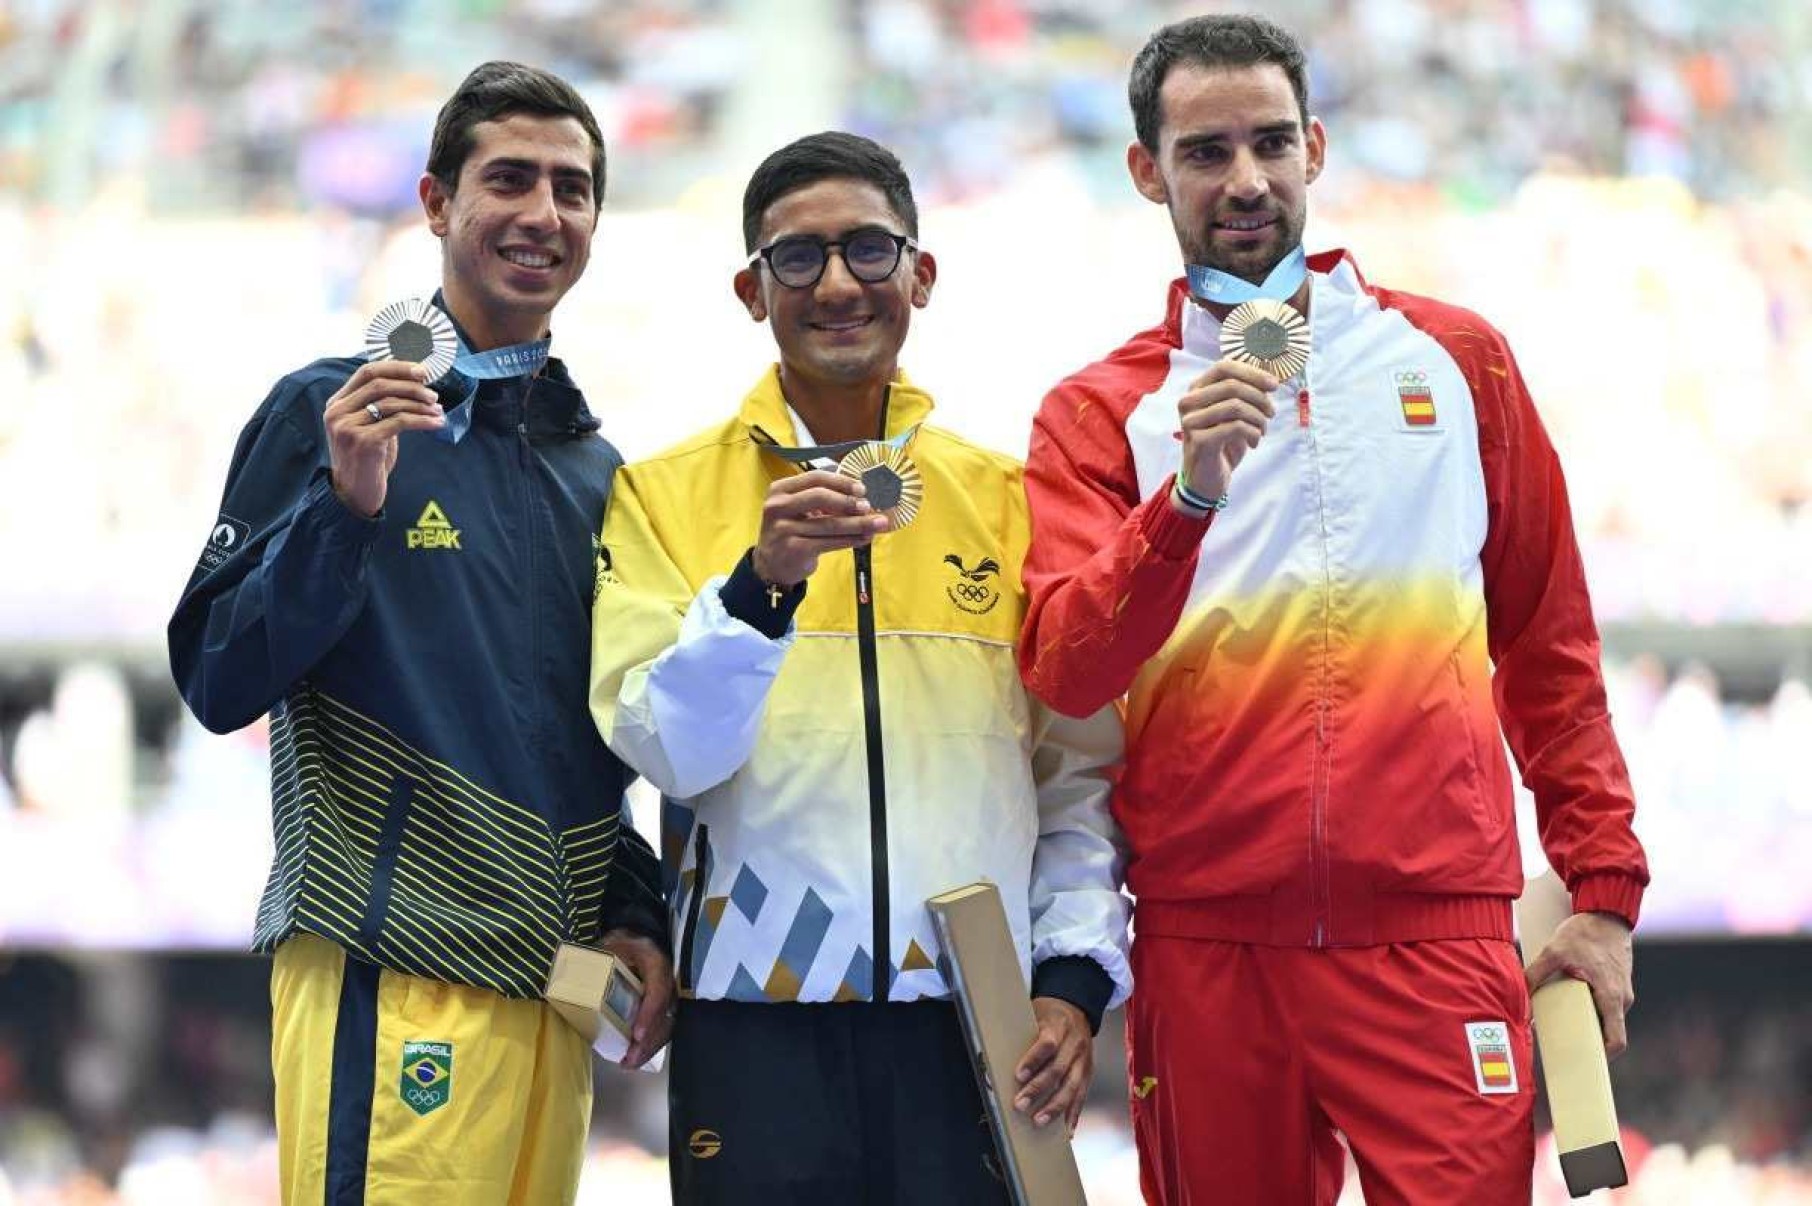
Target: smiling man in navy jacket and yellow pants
401,577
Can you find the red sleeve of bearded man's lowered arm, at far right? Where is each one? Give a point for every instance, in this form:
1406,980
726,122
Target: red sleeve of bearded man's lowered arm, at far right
1545,646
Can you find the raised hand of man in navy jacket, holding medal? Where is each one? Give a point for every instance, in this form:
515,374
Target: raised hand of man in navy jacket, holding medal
363,446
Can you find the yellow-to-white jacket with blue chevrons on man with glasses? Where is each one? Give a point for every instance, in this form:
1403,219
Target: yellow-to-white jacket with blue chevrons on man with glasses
822,785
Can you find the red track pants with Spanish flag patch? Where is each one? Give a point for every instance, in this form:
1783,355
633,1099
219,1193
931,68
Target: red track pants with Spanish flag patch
1246,1062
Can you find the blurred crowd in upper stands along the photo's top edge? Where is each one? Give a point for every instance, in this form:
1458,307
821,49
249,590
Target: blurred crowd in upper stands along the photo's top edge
236,104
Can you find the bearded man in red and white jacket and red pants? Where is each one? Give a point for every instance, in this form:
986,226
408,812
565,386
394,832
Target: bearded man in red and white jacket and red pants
1322,597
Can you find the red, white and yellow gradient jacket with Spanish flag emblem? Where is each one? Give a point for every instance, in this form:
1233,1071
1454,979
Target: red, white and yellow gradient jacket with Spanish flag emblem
1315,682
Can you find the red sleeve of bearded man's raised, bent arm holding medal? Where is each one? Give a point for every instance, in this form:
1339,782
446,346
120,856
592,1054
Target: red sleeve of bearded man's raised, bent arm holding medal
1106,573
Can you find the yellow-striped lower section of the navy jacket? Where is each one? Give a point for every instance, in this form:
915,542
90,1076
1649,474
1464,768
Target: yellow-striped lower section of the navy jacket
410,865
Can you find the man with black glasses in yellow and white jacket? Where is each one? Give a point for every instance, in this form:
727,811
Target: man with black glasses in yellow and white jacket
816,669
